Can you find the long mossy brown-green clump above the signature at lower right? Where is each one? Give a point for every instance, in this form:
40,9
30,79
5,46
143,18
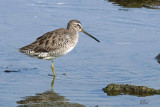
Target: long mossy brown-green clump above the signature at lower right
126,89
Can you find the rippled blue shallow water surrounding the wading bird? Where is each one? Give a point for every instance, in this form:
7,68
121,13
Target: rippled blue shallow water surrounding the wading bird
129,43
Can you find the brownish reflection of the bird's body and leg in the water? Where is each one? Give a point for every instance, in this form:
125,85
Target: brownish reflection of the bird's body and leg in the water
47,99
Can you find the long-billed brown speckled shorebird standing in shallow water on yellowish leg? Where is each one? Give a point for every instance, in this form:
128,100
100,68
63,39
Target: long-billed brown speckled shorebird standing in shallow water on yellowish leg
55,43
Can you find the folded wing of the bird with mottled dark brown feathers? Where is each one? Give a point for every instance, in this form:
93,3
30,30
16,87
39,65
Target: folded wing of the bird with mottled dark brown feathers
50,41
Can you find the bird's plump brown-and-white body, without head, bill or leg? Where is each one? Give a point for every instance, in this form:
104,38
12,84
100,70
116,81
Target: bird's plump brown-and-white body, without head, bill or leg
52,44
